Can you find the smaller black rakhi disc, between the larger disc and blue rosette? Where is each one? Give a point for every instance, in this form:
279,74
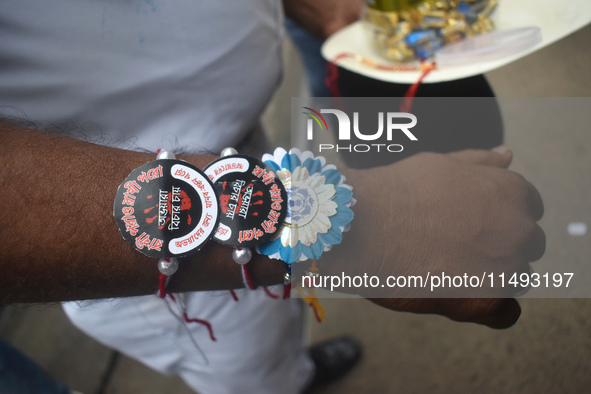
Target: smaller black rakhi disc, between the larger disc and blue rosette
253,200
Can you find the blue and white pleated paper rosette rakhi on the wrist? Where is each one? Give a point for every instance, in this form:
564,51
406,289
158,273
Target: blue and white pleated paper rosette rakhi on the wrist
319,206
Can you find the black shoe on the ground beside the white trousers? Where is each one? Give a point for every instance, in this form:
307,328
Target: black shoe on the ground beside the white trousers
333,360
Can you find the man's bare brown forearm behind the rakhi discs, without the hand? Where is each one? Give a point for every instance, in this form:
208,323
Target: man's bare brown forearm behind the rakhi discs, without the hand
59,238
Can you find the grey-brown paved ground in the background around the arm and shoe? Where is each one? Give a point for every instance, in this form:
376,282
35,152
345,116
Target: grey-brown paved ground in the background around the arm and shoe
549,350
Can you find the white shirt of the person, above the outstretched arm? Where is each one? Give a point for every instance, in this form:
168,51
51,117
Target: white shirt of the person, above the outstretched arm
158,74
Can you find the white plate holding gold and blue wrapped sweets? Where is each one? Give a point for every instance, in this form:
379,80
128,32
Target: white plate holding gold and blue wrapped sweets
556,19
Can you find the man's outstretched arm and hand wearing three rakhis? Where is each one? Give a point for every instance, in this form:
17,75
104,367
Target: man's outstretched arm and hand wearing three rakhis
460,212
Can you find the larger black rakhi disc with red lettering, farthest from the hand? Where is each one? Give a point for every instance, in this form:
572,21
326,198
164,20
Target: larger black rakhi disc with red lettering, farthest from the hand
167,208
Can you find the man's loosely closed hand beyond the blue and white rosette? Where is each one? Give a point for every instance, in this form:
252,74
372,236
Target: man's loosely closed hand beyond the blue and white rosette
457,213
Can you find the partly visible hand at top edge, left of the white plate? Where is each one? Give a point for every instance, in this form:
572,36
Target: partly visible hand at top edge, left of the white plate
324,17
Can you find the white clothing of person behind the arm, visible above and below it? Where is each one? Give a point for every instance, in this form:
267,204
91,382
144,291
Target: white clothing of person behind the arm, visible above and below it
193,74
